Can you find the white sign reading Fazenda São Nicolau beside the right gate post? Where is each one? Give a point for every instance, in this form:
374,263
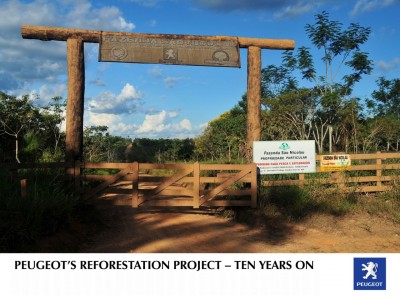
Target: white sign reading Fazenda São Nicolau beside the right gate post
282,157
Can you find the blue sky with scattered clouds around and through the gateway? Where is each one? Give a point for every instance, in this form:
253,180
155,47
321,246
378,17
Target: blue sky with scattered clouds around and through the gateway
146,100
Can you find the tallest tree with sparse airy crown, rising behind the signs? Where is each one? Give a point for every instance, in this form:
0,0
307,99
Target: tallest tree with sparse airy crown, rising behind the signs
341,49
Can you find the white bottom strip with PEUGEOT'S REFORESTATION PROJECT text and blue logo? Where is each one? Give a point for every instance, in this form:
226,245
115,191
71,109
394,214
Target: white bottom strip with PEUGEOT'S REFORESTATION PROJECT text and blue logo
176,276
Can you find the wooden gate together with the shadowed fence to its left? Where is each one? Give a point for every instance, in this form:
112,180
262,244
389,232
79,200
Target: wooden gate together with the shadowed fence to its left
196,185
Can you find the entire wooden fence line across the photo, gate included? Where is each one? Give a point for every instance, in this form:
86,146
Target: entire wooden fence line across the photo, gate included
199,185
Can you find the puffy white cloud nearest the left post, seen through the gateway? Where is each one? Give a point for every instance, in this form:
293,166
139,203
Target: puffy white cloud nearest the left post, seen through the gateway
127,101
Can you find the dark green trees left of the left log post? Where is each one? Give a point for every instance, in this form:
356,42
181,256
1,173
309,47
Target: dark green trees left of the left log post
28,131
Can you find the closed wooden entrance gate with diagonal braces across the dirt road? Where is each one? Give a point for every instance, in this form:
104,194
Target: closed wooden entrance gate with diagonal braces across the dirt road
195,185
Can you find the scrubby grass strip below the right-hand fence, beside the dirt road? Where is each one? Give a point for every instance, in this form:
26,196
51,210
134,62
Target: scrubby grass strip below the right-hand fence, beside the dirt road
297,203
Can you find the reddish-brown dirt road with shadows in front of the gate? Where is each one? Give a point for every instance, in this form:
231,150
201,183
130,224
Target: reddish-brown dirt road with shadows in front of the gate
194,231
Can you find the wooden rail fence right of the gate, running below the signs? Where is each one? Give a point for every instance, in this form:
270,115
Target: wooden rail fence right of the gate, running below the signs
368,173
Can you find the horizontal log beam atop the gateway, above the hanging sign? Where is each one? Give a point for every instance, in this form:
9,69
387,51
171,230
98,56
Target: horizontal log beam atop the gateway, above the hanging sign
45,33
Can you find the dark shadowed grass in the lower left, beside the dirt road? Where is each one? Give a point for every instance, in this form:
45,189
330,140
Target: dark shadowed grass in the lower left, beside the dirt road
48,208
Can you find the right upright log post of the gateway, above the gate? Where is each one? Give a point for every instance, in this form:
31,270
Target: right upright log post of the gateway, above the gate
253,99
